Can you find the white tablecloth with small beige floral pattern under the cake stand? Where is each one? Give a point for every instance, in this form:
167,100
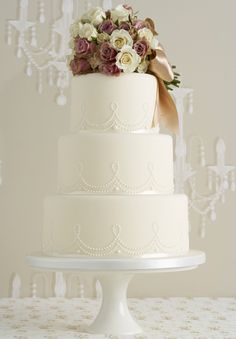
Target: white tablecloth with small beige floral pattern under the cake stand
171,318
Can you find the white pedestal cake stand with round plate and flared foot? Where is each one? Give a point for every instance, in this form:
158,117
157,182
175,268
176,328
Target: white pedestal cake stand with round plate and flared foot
114,275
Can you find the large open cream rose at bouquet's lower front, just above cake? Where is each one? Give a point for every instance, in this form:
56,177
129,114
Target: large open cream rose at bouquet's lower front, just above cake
128,59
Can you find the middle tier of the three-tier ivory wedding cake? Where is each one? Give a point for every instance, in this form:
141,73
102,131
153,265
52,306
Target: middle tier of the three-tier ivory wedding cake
128,163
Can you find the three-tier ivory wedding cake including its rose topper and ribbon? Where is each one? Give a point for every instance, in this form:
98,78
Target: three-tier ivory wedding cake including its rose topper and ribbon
115,170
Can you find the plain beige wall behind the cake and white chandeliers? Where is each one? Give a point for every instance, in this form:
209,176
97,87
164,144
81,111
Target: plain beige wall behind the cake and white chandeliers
200,38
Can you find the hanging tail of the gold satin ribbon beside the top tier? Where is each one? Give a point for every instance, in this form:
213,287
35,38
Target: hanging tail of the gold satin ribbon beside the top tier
166,111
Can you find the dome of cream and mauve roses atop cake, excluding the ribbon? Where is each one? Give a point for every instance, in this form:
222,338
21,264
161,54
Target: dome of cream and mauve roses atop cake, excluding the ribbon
112,42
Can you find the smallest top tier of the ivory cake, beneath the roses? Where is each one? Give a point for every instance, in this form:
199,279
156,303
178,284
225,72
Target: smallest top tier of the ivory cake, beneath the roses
102,103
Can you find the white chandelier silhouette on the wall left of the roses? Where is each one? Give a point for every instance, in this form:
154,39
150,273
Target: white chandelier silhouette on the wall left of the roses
48,61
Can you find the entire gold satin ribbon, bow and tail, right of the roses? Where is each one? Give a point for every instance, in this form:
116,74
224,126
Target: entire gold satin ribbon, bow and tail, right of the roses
166,110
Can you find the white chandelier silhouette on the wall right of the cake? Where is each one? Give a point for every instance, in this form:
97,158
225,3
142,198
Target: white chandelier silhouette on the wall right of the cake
221,177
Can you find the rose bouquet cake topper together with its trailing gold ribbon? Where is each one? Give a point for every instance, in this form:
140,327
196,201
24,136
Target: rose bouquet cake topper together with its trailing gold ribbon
117,41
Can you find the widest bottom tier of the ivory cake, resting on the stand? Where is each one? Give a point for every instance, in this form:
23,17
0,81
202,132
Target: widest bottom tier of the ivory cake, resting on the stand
115,225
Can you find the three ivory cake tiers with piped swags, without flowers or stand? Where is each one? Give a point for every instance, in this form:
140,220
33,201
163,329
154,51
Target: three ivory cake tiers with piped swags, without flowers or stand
115,176
